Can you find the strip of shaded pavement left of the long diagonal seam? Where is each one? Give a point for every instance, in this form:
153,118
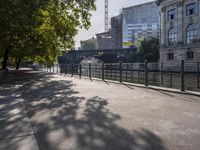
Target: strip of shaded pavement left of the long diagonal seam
16,132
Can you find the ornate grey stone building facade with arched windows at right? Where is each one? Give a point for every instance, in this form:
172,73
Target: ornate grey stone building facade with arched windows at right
179,31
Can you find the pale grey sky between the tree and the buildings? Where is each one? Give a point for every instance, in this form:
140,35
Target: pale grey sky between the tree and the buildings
97,20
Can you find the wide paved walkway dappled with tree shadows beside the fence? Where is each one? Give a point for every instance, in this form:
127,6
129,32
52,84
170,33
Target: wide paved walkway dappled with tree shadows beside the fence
40,111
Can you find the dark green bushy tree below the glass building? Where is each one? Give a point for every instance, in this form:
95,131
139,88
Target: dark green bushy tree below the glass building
148,49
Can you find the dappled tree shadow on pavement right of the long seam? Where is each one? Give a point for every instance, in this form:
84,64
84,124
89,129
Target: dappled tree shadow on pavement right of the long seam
63,119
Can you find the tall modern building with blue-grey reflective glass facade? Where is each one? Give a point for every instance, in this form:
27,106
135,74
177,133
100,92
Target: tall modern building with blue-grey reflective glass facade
140,21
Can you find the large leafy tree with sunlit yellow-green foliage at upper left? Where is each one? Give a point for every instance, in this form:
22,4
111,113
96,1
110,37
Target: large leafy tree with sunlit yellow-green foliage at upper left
40,29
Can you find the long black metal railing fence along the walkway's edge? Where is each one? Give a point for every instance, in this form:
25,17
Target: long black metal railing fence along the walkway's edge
183,76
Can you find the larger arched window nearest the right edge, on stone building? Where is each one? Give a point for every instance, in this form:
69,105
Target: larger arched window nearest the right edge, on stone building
191,33
